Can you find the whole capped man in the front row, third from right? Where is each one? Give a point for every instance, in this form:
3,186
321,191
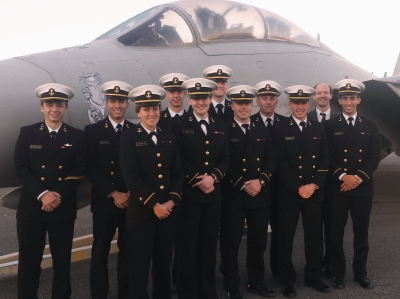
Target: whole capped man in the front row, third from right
246,195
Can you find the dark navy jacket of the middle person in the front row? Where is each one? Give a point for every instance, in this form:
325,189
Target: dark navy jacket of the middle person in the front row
201,154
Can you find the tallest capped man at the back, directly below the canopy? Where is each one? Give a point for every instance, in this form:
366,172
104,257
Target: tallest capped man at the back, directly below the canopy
220,106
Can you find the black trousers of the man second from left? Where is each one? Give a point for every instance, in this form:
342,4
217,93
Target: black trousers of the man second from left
104,227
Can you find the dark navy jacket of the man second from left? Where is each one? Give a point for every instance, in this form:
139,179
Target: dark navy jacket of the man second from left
103,168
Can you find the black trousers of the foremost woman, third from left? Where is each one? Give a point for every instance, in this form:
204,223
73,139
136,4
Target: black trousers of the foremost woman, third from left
151,240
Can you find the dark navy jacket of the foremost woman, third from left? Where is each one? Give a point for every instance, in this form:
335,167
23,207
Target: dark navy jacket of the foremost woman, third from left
152,173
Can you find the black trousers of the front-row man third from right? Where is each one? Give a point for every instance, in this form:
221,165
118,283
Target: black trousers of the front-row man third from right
231,236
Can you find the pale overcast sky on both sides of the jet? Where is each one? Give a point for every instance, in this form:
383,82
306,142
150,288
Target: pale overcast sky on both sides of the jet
365,33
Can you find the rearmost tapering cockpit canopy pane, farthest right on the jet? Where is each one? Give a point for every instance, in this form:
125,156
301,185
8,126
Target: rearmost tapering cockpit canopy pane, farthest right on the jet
281,29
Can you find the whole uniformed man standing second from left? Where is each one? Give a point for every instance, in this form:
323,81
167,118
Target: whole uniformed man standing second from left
109,196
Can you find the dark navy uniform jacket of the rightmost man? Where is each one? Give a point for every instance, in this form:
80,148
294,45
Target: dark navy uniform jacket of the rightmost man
354,151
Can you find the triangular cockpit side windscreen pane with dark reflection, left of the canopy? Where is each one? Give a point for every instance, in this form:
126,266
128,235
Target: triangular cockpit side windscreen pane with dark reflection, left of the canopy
167,28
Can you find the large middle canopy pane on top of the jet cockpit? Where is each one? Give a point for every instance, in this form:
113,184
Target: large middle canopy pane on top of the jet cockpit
225,20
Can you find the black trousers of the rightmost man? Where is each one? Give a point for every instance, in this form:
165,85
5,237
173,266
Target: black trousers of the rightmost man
360,210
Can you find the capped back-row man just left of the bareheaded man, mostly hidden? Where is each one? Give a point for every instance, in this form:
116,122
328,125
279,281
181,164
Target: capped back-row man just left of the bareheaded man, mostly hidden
268,92
